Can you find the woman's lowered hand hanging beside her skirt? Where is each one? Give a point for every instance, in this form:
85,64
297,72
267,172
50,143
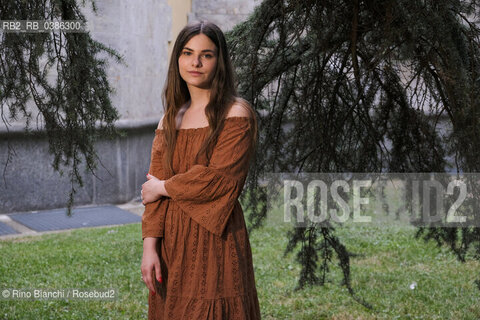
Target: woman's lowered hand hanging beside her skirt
151,264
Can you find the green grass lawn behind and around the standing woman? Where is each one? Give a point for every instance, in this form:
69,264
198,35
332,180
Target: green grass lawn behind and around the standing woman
390,261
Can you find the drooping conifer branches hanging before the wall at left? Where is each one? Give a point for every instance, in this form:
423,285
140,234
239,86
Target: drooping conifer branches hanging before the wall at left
74,108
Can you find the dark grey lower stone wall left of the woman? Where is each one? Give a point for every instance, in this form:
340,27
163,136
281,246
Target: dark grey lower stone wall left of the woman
30,182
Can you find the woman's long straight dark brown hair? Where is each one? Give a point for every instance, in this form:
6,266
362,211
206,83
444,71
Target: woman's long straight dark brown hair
222,96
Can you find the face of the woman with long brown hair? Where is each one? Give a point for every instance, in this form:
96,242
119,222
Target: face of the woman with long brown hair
197,61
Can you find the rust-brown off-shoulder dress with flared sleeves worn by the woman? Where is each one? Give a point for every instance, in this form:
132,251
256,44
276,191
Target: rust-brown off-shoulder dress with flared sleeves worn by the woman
205,253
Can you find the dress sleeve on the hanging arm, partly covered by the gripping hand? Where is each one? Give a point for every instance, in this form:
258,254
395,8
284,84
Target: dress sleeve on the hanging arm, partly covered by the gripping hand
153,218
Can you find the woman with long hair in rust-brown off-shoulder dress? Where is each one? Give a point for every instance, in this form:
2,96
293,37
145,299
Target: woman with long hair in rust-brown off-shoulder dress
197,260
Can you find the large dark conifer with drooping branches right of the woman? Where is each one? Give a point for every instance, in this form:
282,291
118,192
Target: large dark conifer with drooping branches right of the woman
348,76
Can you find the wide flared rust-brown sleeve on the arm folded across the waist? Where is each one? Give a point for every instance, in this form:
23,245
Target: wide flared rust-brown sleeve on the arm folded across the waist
208,194
